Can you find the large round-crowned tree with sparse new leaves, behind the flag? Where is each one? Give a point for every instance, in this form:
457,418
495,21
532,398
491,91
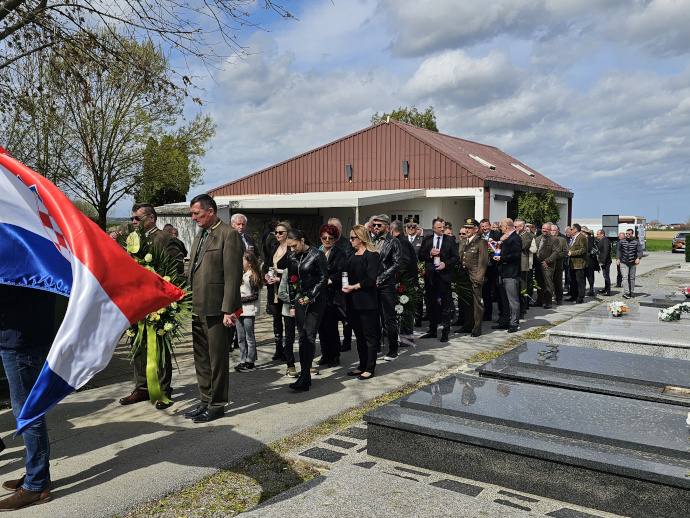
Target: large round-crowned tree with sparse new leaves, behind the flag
105,109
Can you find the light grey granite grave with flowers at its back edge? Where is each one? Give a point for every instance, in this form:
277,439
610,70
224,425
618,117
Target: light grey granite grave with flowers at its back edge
638,331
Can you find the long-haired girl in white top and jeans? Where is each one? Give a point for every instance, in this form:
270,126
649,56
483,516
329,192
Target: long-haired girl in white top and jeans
252,282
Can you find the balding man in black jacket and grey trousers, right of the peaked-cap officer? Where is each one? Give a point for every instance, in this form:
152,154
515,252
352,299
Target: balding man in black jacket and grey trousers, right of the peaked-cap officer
509,262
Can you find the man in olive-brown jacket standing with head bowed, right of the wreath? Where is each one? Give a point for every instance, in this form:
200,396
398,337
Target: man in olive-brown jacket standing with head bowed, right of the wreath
215,276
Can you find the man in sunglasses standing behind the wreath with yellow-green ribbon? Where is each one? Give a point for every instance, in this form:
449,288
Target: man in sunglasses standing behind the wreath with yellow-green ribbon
144,214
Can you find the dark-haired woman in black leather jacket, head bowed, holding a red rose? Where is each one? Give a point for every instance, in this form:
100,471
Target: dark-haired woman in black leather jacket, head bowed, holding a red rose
307,282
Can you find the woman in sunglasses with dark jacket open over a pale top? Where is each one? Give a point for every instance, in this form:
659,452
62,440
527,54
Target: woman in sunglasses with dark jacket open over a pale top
278,260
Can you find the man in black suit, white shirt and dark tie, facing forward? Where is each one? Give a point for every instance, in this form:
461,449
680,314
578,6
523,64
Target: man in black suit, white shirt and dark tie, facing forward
439,254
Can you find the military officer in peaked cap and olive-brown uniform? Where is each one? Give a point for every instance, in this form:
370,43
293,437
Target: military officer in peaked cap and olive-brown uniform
474,257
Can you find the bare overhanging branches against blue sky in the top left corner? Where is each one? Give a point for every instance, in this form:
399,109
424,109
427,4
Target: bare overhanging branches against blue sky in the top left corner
204,30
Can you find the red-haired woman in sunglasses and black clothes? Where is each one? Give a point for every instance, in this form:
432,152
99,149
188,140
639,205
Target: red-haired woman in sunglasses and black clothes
329,337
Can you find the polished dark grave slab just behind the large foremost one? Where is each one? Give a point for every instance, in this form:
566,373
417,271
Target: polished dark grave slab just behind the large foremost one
635,376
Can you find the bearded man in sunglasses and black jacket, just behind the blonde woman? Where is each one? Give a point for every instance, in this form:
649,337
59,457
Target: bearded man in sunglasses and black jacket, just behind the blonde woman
390,262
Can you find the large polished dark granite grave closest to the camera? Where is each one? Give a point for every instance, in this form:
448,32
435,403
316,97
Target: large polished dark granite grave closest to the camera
617,454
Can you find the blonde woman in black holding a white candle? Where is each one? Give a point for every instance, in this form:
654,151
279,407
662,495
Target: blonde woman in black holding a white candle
362,303
